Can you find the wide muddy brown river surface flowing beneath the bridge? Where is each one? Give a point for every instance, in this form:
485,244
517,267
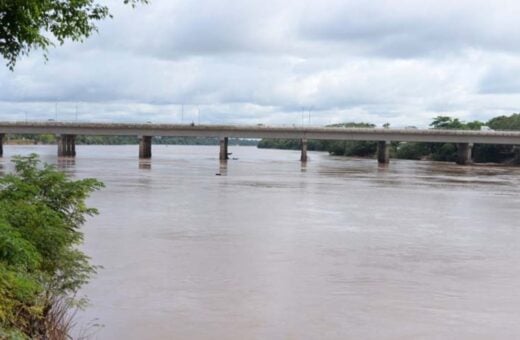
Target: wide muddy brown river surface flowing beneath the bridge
273,249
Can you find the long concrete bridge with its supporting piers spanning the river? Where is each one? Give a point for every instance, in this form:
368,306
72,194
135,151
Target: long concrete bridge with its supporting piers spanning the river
67,133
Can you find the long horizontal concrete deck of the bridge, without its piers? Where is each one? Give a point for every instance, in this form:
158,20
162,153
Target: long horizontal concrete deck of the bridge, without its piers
242,131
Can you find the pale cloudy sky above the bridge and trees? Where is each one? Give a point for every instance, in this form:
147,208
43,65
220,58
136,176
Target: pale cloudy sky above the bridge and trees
279,63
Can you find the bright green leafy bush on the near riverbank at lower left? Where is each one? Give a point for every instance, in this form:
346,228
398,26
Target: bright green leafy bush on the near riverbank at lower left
41,212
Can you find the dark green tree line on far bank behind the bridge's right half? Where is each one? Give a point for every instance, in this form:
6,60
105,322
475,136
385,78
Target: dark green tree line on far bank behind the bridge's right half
482,153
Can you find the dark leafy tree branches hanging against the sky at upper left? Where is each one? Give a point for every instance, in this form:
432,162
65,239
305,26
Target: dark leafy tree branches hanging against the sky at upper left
37,24
